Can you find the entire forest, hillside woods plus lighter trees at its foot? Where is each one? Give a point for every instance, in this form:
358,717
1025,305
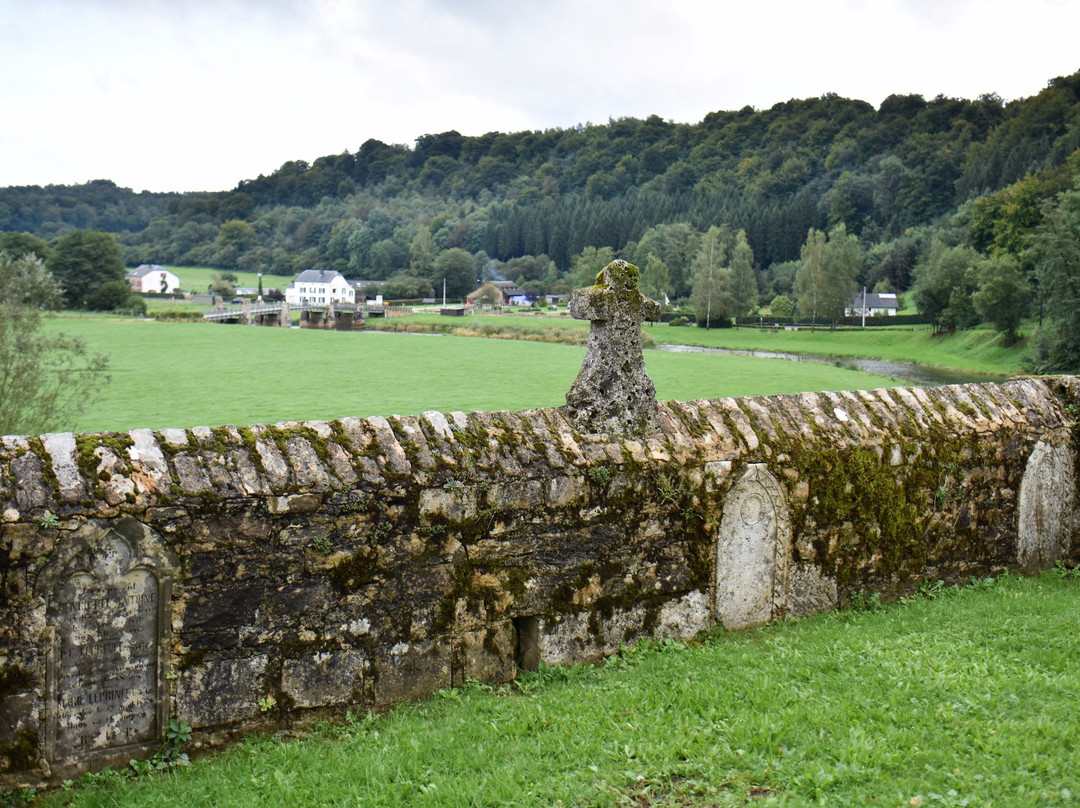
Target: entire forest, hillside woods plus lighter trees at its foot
969,206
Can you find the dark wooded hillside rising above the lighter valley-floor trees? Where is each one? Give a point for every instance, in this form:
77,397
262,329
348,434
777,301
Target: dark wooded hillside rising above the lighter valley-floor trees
775,173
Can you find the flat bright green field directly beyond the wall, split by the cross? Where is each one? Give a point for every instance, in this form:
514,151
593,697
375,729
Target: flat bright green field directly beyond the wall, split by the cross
196,374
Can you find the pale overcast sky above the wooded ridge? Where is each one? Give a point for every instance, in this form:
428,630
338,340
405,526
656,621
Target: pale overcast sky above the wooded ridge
193,96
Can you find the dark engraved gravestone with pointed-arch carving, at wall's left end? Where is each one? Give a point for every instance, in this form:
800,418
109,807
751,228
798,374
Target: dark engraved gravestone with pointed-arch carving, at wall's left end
107,596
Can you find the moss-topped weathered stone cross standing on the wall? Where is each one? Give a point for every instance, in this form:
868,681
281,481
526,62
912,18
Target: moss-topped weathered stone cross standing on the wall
613,393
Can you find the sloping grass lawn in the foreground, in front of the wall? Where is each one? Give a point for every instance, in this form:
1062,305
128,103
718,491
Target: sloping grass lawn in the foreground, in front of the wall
967,699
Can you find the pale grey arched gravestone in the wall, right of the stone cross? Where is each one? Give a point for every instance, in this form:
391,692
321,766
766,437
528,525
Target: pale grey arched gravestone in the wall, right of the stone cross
752,551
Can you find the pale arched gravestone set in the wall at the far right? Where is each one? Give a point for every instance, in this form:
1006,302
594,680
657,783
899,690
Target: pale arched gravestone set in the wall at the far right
1046,508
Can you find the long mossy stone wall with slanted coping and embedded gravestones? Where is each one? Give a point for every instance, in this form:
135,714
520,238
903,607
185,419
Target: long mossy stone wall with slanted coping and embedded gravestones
246,578
